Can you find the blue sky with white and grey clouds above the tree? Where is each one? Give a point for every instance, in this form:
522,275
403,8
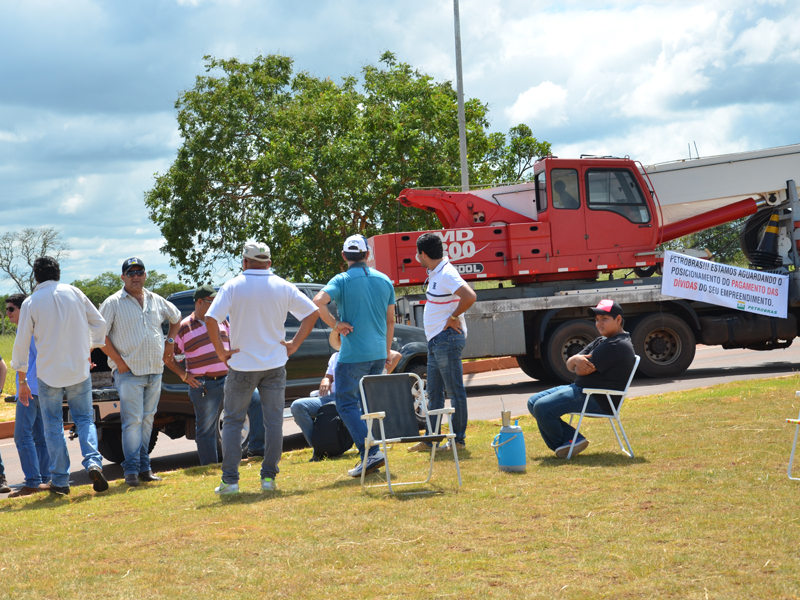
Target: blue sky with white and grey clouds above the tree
87,88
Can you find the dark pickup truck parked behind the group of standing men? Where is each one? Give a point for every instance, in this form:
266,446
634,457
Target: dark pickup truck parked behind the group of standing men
175,416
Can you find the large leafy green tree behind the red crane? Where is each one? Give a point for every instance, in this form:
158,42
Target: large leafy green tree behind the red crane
302,162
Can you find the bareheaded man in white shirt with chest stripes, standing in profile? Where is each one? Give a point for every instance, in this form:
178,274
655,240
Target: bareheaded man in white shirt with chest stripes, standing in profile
447,298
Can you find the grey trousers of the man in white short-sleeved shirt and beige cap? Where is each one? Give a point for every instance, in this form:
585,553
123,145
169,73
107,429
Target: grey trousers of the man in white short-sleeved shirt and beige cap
239,388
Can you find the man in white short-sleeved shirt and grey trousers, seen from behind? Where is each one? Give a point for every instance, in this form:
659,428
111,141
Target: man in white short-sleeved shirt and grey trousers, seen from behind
257,302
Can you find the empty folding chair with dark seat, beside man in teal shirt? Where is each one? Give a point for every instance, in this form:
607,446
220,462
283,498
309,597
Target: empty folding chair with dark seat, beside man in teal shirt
389,403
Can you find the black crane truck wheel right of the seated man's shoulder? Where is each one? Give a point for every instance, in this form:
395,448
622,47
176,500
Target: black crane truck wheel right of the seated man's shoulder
665,344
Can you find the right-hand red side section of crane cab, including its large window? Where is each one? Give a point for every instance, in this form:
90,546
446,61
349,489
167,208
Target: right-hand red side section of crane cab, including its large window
617,213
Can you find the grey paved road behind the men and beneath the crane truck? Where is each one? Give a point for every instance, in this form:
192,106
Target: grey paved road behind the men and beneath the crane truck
711,366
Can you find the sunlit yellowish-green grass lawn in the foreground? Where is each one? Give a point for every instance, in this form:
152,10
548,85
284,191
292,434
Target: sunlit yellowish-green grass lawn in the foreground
705,510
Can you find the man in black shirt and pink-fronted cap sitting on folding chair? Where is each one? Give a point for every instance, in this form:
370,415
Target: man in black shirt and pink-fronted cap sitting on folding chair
606,363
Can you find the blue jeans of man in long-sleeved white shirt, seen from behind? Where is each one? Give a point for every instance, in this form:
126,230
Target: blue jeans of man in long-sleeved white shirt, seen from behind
79,399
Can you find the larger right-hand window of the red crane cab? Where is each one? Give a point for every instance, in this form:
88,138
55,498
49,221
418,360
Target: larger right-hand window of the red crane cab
616,190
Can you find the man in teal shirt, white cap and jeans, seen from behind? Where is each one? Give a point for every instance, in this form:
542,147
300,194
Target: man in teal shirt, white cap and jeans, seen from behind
365,299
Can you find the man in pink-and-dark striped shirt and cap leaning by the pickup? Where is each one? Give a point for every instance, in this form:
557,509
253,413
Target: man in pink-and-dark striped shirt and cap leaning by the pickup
204,373
